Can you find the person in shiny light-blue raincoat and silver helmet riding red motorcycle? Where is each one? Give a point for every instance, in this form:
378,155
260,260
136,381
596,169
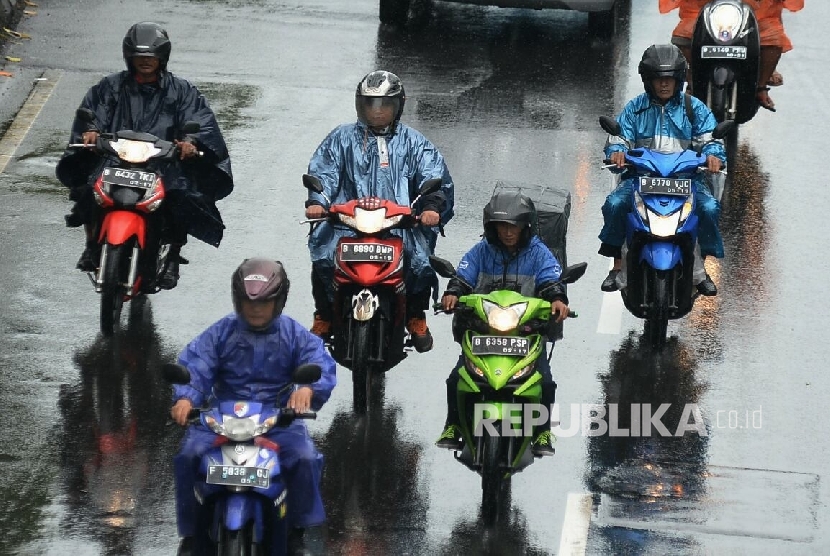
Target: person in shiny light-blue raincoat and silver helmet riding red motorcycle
379,156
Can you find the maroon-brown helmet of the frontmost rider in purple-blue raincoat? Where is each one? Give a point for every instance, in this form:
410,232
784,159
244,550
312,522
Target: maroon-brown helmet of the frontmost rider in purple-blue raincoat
260,279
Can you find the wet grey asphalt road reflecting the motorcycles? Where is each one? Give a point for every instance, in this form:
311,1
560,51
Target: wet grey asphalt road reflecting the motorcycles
507,94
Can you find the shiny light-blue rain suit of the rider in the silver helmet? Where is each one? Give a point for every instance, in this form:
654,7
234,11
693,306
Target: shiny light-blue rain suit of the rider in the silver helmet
352,162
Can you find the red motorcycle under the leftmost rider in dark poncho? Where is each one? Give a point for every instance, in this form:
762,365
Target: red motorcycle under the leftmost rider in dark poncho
130,190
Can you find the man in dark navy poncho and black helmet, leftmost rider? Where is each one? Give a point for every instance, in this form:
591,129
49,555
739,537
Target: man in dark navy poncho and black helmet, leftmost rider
148,98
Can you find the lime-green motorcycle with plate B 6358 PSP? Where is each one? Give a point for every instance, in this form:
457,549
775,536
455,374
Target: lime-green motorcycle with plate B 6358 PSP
502,335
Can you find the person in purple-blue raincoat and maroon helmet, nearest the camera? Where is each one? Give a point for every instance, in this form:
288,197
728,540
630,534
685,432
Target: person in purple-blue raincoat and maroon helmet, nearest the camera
250,355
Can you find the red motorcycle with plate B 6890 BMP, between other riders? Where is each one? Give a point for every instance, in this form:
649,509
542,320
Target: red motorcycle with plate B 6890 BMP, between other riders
369,317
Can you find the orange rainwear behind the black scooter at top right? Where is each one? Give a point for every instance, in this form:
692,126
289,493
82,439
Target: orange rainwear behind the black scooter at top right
767,12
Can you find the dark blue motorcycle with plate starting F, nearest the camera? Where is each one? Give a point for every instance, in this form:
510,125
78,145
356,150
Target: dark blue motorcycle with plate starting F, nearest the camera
239,482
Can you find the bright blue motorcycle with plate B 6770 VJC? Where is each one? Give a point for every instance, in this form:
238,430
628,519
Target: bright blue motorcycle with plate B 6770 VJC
661,234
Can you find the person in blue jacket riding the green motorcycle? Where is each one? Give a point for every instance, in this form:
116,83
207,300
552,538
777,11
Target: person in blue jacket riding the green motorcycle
510,256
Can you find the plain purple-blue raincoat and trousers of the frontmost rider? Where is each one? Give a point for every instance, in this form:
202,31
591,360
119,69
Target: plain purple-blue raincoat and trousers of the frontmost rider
230,362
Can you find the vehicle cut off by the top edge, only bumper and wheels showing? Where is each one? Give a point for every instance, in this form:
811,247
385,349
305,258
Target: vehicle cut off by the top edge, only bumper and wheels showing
602,14
